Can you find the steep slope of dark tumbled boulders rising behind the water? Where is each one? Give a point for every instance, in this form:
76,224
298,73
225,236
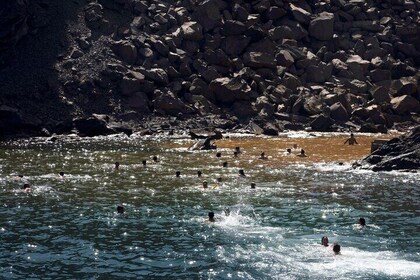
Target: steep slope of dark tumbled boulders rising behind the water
275,63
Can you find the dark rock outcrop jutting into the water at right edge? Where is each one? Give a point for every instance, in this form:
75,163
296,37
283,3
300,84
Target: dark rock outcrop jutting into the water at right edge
401,153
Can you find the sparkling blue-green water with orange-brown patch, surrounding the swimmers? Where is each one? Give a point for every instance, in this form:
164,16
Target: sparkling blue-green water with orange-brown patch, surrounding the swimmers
67,227
